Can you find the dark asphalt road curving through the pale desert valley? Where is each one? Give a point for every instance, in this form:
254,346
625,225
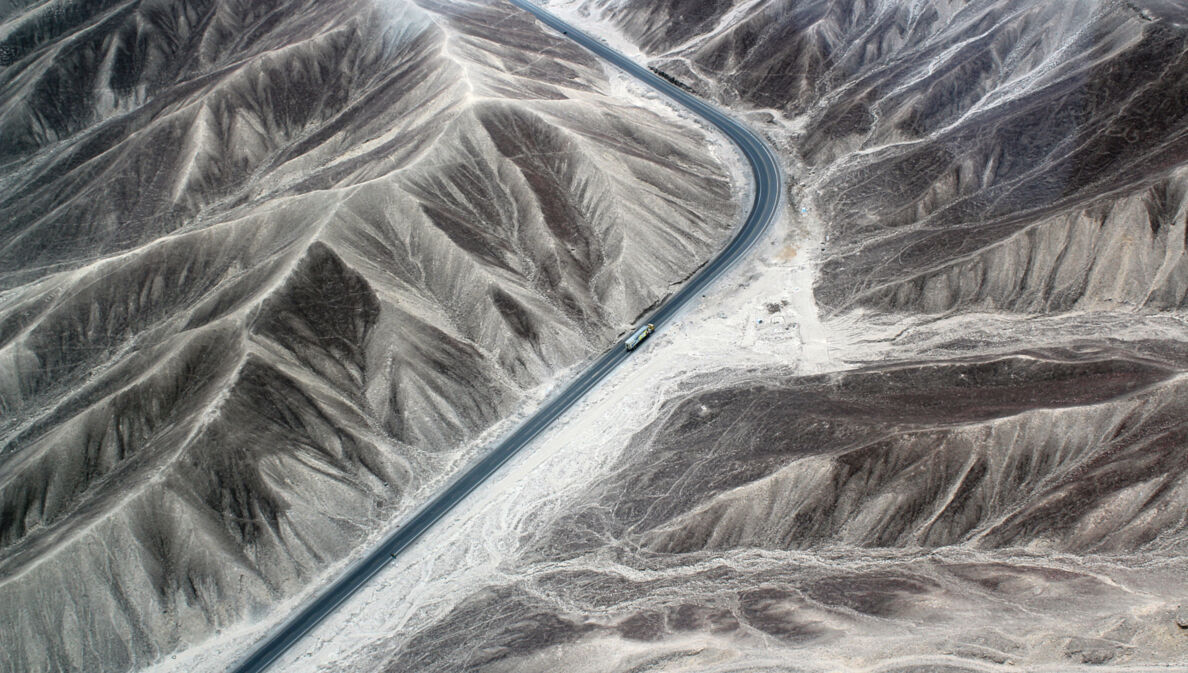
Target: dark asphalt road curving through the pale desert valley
768,191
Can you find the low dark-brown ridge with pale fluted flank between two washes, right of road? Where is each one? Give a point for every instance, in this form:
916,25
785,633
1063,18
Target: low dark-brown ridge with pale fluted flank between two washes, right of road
985,454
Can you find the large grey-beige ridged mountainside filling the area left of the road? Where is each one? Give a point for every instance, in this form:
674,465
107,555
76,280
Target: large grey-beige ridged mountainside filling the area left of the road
268,267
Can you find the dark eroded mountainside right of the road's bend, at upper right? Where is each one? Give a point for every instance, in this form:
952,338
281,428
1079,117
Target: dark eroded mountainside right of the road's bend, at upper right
964,155
